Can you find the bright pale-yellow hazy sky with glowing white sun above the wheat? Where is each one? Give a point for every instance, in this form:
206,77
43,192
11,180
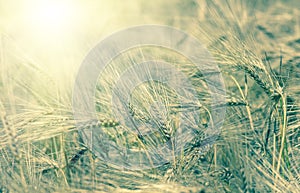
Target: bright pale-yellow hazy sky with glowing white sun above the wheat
58,34
